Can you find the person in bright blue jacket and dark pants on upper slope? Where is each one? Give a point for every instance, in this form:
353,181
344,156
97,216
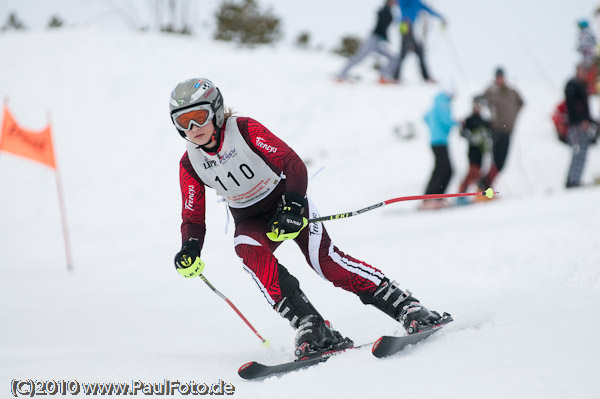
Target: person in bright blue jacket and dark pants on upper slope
410,10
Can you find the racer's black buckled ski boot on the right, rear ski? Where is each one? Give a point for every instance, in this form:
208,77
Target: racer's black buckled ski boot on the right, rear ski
402,306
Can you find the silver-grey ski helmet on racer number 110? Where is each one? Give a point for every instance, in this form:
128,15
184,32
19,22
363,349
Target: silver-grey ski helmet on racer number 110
193,92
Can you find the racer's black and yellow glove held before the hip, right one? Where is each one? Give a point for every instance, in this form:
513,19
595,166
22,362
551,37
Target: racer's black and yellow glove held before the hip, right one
288,220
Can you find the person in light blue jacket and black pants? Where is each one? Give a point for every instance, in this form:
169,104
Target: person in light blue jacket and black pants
440,122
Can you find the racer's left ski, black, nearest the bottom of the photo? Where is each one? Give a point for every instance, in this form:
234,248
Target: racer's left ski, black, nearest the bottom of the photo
254,370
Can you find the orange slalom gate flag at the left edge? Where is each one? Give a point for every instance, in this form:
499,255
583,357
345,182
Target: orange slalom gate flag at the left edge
36,146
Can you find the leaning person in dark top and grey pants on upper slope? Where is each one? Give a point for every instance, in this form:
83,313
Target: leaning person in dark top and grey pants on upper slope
377,42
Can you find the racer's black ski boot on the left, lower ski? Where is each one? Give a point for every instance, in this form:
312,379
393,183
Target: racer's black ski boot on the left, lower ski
316,335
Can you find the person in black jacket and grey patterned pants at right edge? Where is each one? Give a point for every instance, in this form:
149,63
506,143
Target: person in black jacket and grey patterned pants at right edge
576,97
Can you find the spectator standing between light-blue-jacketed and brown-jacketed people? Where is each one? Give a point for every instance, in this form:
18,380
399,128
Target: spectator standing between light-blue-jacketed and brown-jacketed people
476,130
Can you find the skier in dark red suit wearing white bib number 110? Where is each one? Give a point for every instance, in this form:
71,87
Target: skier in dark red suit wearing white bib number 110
264,184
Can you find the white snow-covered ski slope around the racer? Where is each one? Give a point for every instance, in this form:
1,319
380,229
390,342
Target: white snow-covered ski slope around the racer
520,275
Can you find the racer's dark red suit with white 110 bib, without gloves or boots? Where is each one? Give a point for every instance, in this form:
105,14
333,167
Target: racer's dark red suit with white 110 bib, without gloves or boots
251,169
